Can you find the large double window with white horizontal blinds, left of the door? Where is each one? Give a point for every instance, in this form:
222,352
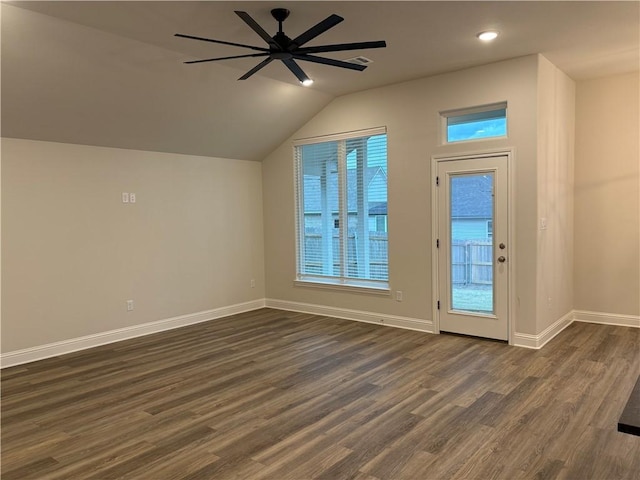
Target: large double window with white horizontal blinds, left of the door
341,204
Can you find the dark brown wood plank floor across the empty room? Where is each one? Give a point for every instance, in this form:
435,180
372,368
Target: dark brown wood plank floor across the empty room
280,395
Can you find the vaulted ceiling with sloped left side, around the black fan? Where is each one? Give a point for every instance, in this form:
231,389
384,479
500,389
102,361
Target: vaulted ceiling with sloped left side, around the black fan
111,73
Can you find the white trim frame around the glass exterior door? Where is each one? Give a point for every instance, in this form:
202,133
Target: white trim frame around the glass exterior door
511,237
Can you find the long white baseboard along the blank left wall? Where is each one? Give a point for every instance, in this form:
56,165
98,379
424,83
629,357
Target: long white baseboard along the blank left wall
40,352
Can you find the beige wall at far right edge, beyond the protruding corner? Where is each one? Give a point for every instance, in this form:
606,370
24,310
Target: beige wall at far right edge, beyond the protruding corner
607,196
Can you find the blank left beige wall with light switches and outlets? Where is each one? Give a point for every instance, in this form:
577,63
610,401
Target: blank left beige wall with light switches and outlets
73,253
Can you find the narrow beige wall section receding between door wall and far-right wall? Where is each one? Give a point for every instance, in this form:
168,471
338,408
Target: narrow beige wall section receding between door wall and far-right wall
556,141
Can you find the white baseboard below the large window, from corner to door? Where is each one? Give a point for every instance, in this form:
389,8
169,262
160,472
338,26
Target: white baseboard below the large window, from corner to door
357,315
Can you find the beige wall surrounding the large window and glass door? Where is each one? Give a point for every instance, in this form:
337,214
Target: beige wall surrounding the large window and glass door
410,111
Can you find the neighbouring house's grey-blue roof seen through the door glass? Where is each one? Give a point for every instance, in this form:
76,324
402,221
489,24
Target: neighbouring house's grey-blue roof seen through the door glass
471,196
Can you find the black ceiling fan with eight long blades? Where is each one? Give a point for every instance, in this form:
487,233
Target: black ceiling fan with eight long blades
283,48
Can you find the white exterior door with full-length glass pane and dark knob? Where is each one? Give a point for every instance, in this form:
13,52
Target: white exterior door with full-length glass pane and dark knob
473,246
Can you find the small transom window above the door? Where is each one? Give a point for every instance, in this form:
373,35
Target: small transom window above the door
488,121
